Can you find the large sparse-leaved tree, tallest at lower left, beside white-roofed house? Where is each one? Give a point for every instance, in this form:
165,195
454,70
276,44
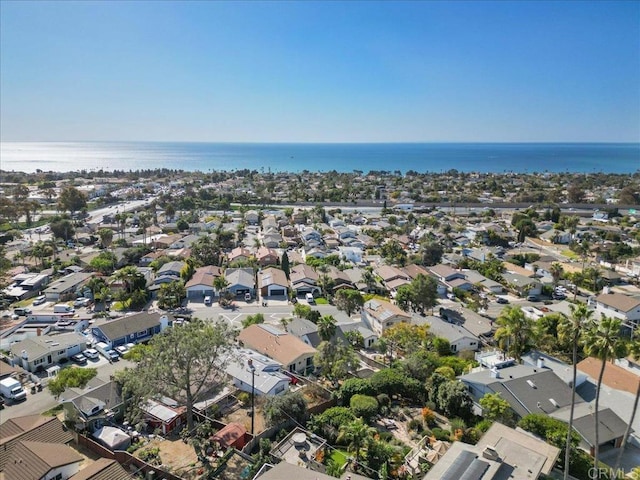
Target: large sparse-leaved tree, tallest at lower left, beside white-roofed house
184,363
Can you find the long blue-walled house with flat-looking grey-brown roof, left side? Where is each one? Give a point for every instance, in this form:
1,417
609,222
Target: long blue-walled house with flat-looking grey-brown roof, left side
137,328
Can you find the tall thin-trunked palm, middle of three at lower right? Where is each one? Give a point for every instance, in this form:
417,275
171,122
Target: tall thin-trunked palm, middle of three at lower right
602,340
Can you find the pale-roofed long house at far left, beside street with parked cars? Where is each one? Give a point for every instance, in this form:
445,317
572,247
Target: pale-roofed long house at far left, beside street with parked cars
36,354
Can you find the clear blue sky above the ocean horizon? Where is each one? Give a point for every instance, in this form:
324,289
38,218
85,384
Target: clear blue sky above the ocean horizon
320,71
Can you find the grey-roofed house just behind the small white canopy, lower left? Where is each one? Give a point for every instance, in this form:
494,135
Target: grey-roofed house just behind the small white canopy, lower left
94,406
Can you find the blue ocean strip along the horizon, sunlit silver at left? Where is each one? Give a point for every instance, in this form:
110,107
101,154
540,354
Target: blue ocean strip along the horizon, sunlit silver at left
344,157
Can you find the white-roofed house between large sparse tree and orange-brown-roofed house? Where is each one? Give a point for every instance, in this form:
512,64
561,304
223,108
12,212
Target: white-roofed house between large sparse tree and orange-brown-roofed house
252,371
